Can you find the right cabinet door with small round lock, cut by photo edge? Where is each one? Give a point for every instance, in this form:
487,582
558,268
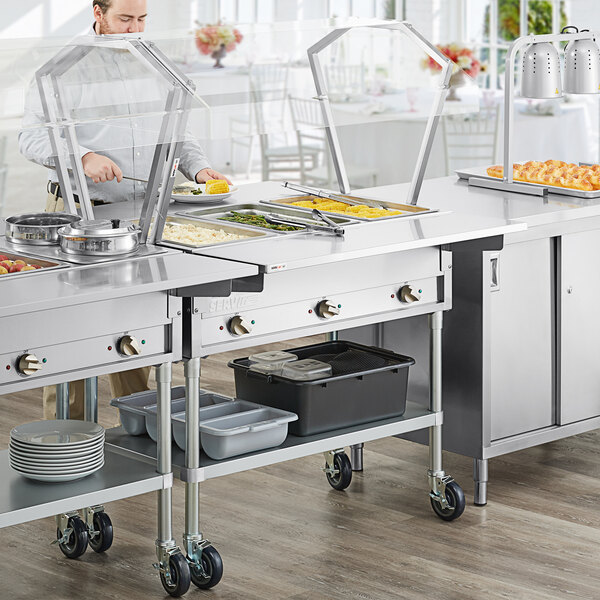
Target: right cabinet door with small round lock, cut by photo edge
579,339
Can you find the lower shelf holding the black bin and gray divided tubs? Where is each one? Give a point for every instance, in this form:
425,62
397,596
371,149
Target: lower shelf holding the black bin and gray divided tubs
143,448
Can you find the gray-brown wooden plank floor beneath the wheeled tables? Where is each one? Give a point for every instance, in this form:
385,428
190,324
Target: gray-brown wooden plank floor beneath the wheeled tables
285,534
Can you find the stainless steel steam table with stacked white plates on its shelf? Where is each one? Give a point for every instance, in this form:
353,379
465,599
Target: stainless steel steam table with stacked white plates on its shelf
72,321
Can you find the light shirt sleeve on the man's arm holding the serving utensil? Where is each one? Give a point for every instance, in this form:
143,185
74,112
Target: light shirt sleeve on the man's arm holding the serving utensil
34,138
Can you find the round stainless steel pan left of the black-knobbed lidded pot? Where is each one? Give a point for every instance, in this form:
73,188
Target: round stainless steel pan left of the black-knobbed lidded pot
38,229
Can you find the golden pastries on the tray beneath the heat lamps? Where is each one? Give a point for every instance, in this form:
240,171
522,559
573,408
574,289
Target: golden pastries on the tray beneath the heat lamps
554,173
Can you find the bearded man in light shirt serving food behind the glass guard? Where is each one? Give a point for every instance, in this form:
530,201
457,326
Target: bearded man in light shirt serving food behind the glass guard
105,168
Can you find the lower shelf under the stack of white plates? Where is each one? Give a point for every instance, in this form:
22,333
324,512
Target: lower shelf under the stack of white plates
121,477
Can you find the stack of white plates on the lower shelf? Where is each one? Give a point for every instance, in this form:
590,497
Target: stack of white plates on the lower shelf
57,450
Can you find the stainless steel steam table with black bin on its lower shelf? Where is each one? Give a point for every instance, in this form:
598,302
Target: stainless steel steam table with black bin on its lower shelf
362,273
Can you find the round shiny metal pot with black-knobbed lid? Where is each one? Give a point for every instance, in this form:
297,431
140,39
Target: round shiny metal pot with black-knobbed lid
100,237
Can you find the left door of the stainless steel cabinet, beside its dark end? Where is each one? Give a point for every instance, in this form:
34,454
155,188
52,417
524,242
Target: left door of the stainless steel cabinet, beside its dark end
519,330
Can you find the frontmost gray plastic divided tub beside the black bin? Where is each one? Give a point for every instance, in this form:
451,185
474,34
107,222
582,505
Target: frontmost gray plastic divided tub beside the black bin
244,432
